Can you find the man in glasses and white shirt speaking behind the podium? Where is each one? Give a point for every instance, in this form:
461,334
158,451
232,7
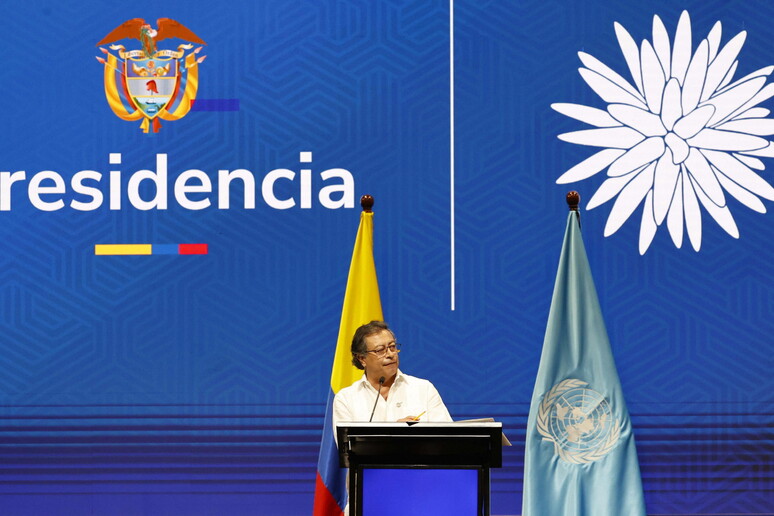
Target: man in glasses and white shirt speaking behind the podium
384,393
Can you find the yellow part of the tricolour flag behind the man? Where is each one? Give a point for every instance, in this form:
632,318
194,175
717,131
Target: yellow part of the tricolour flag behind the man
362,303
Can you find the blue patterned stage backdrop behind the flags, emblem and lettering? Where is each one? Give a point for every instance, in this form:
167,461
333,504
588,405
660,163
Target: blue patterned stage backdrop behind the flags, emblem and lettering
170,385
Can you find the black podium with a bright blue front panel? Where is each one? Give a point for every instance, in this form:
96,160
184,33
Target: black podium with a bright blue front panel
419,468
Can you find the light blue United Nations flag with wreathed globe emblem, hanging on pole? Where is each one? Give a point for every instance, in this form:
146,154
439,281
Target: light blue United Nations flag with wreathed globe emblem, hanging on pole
580,458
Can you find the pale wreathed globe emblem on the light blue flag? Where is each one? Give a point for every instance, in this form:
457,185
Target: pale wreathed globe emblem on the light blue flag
579,422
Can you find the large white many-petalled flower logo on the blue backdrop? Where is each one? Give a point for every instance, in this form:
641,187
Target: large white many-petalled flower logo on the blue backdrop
682,136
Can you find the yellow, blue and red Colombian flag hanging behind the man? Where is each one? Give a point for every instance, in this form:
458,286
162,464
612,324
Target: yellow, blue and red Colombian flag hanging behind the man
361,305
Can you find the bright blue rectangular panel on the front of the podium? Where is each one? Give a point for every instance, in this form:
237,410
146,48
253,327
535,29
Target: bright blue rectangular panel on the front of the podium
425,492
